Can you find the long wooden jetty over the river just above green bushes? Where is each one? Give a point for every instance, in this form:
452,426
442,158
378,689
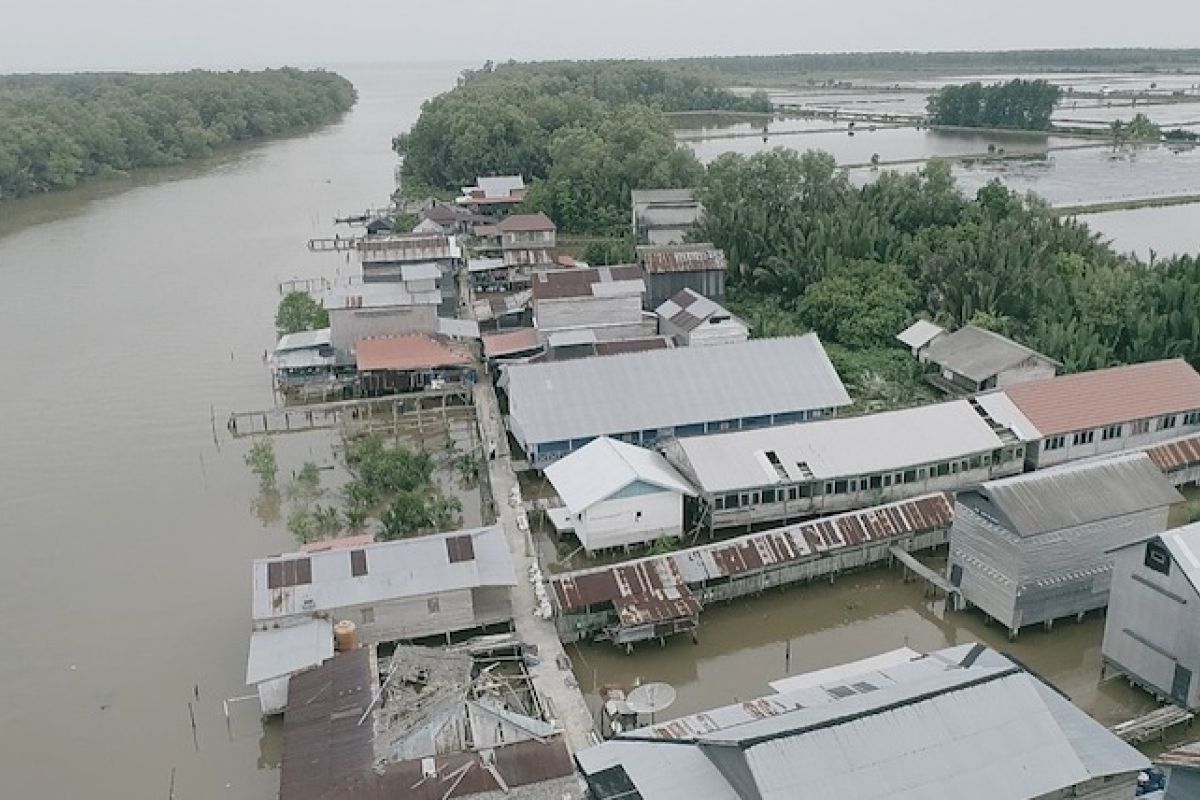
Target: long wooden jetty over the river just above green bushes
392,412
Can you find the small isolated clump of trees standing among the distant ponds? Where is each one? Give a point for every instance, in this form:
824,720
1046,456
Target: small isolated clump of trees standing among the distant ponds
1019,105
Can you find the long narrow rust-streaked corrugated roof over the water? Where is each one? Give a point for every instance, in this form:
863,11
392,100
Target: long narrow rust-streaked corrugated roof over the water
625,586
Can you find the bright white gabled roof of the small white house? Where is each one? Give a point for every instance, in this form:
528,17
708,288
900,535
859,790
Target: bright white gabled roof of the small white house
604,467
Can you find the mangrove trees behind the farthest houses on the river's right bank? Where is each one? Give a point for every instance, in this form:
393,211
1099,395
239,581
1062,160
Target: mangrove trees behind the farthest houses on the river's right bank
585,135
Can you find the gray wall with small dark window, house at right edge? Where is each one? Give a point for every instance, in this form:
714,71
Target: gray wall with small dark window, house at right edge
1151,625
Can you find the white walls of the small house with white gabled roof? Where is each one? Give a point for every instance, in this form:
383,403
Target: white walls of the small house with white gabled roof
631,521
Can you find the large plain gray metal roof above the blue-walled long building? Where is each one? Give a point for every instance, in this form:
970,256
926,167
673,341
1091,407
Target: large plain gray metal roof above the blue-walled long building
670,388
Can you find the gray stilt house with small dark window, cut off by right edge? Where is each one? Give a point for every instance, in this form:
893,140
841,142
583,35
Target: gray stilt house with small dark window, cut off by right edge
1153,630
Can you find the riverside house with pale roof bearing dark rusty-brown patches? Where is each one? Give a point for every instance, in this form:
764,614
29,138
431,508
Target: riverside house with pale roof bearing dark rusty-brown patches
403,591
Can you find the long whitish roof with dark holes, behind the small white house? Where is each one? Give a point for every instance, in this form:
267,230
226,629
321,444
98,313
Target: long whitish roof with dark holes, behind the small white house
839,448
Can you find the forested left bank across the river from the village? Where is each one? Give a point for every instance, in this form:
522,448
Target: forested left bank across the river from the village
61,130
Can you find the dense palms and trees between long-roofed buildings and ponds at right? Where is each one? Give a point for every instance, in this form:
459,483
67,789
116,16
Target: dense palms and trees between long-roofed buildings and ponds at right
808,250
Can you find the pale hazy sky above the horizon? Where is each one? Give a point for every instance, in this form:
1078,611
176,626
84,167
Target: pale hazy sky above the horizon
41,35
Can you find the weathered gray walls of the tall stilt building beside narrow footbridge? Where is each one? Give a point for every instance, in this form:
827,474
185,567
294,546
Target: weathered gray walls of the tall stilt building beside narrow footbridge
1028,580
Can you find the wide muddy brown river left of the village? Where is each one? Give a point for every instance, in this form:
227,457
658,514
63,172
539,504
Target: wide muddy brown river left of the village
134,314
